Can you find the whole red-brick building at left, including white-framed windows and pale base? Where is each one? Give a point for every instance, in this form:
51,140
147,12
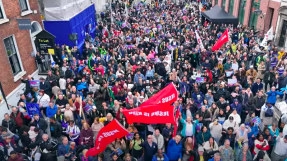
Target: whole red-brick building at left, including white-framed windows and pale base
17,46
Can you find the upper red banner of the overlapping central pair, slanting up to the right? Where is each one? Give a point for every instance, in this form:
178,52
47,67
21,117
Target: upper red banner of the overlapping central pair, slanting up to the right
168,95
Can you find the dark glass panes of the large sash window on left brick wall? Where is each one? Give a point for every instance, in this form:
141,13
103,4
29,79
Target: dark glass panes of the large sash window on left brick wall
12,55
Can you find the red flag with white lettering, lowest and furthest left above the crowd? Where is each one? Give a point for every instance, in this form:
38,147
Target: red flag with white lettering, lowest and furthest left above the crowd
107,135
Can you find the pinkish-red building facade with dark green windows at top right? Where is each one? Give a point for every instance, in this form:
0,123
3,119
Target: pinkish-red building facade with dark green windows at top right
244,10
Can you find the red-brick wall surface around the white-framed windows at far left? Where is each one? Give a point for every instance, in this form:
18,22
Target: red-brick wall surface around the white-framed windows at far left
23,41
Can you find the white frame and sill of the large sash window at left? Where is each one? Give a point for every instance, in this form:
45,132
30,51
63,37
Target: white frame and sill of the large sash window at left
22,72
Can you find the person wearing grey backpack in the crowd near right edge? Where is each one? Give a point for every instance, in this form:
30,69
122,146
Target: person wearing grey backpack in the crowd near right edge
267,113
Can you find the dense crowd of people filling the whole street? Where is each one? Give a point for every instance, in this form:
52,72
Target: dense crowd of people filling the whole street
131,58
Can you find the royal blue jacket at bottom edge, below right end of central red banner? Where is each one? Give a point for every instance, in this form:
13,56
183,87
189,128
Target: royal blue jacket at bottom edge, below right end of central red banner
174,151
